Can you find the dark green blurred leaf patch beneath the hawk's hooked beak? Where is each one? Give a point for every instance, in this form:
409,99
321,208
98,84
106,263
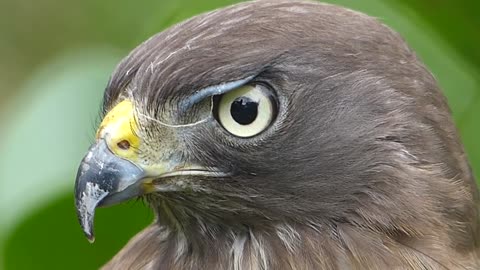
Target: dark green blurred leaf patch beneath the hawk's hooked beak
52,239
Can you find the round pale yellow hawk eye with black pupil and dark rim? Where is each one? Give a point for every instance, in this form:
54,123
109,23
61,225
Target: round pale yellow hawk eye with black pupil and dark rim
245,111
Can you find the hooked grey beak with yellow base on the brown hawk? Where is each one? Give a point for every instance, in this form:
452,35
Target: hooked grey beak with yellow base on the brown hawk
112,171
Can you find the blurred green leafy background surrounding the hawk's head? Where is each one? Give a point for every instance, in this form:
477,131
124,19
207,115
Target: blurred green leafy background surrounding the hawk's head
55,60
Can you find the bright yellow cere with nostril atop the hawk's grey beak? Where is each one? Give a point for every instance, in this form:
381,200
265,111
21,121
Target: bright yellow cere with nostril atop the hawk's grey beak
118,128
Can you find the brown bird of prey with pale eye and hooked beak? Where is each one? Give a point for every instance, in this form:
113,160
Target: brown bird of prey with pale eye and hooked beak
282,135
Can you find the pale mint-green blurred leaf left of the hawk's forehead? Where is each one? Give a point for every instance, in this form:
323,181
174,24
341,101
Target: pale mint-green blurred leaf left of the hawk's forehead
49,129
